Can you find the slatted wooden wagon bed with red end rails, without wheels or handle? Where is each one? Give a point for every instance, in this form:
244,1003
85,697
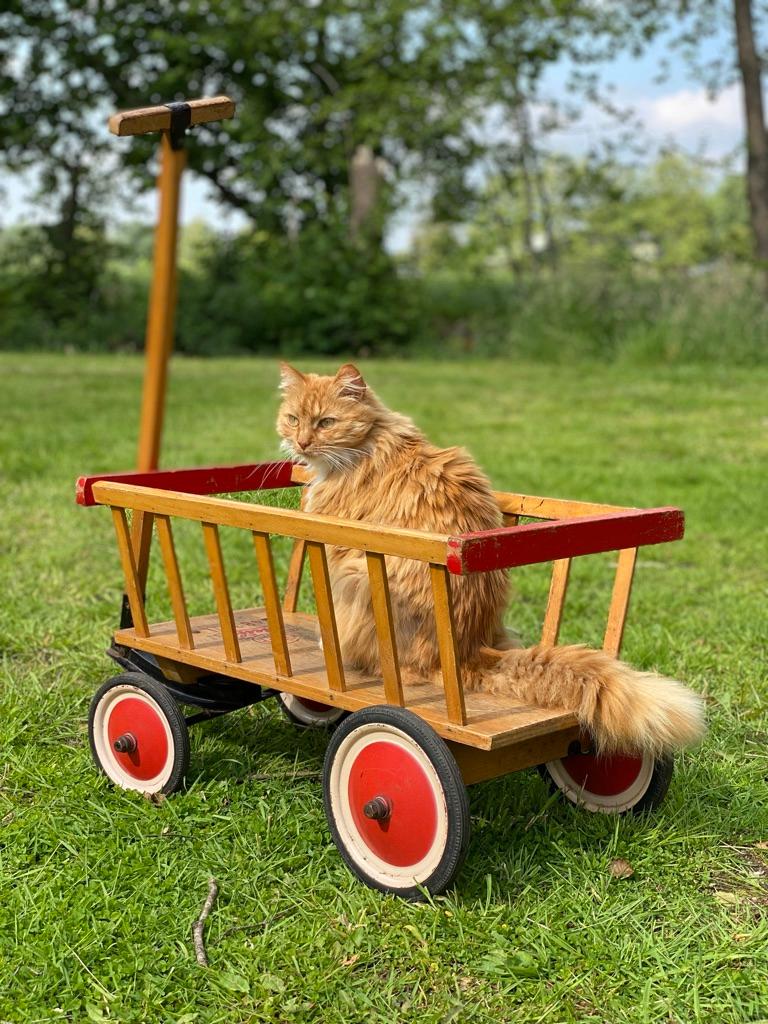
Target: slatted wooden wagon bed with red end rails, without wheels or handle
277,647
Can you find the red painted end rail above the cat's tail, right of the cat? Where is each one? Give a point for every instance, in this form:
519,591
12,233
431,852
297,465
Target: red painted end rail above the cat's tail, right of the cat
498,549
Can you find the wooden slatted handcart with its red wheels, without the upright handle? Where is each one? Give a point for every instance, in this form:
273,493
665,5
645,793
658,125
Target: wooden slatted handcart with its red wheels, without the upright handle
399,759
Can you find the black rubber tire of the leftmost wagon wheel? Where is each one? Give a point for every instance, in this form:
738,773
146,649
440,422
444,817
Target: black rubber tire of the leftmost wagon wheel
165,706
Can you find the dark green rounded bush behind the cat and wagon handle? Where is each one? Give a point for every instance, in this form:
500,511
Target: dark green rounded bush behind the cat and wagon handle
320,292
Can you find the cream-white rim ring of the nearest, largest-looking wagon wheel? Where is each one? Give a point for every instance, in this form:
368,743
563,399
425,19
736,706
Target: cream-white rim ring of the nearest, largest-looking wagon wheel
348,756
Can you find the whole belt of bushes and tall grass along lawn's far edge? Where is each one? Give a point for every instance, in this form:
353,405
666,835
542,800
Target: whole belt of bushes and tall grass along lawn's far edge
649,266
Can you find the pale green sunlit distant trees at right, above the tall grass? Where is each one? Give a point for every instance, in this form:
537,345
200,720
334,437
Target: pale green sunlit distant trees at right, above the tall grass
672,216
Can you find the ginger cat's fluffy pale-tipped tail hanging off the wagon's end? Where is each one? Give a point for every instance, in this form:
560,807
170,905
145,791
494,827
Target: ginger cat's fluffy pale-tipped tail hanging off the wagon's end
623,709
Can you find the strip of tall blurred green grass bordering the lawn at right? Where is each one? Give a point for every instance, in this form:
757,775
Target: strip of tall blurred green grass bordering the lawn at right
716,317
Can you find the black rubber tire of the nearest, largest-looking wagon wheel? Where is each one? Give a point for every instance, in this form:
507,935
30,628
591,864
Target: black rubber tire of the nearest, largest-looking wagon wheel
449,784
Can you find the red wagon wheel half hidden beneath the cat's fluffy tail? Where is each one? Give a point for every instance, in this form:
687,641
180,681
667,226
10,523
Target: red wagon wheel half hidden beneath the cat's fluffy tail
612,784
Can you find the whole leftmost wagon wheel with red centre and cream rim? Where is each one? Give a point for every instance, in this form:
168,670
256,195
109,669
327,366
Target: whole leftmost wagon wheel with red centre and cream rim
139,736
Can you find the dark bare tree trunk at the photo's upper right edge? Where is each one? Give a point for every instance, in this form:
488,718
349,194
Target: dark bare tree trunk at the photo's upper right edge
757,139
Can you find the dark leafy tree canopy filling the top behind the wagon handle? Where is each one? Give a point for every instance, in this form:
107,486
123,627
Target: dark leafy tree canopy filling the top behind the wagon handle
320,83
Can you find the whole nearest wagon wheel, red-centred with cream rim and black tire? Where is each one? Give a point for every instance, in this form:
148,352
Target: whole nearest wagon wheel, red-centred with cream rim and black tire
396,802
